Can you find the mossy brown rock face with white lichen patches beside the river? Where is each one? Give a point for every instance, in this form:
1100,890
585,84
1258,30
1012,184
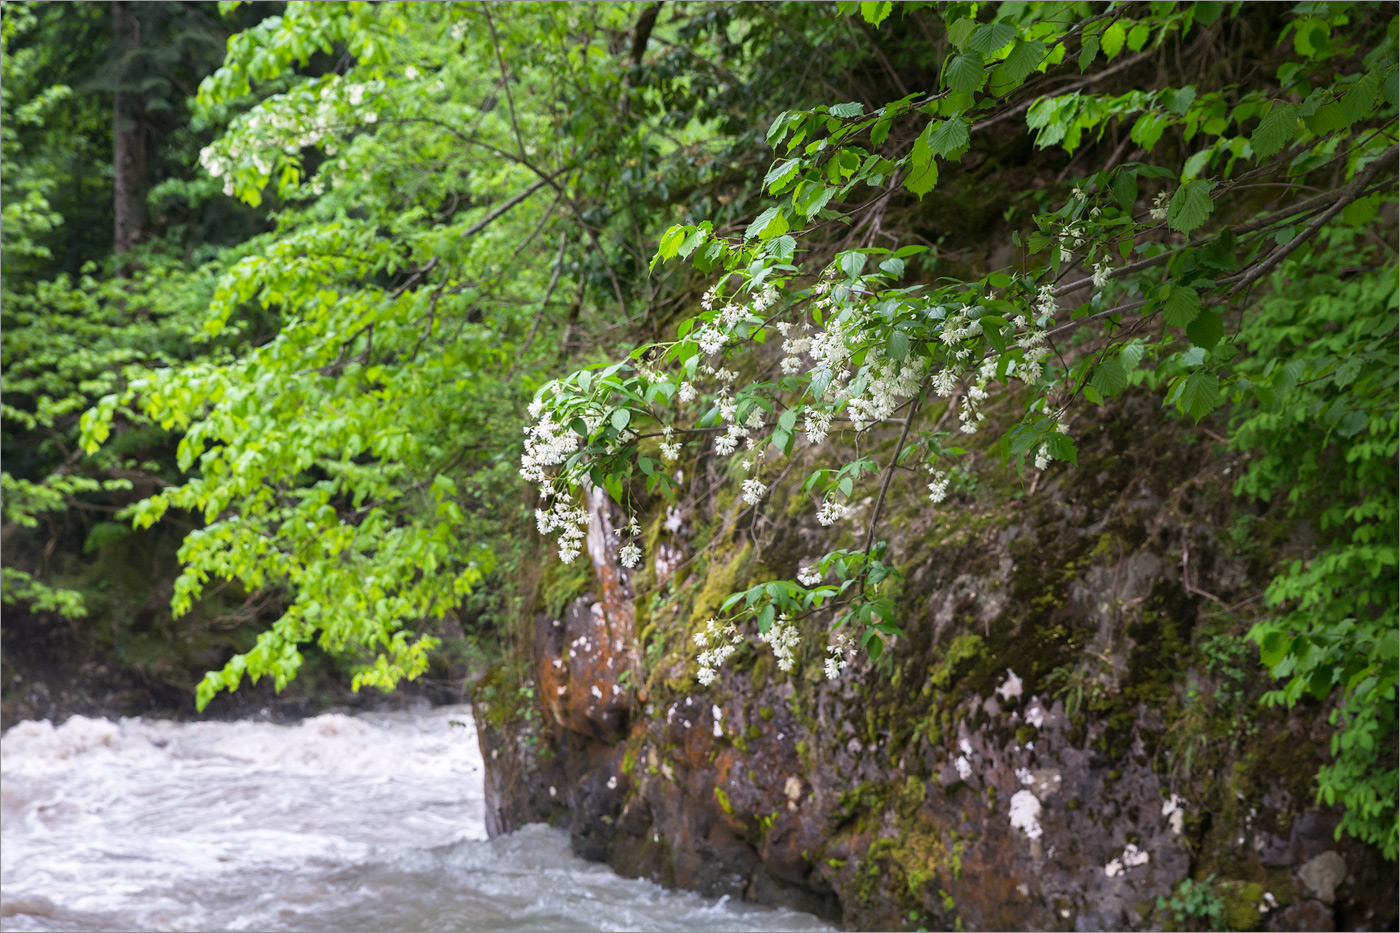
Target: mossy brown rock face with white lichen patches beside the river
1069,736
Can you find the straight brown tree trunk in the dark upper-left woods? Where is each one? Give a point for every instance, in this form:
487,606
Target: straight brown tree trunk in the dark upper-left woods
128,134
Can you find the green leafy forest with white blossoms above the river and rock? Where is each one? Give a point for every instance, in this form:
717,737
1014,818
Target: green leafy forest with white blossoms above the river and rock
285,284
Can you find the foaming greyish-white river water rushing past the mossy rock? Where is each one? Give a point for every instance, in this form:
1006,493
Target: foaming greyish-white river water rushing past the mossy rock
338,823
